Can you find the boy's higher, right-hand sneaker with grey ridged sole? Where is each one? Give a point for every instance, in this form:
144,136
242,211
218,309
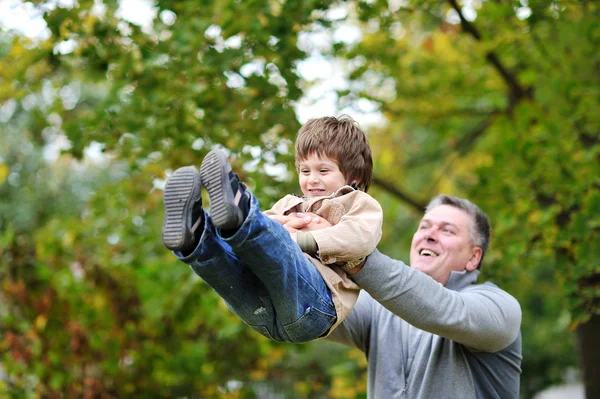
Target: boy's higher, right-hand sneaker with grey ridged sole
229,203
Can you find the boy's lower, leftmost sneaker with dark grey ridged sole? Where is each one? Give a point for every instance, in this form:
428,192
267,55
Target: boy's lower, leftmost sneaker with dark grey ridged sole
183,210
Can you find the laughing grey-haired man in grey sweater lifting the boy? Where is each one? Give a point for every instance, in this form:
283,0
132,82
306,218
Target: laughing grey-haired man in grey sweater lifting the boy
429,331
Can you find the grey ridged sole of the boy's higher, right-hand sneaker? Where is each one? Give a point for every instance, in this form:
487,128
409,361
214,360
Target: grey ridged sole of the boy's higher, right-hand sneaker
214,174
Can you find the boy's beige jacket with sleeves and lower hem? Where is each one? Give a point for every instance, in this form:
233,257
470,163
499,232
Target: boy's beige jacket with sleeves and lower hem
357,219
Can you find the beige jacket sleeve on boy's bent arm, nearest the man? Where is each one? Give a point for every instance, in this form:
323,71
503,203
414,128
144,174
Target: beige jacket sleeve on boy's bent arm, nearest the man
355,236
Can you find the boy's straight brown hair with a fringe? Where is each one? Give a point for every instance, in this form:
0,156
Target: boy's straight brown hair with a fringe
343,141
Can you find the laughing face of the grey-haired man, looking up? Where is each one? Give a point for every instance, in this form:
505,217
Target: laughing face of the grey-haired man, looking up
442,243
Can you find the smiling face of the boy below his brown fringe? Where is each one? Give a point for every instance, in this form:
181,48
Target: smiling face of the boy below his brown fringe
320,177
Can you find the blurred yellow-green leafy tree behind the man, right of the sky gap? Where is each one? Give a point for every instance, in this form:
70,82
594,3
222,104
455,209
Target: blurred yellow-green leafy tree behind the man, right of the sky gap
499,104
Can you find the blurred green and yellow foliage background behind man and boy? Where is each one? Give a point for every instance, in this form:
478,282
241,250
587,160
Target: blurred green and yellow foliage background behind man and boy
493,100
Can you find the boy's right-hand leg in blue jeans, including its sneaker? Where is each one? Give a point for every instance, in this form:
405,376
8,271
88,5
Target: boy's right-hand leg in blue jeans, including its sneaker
301,300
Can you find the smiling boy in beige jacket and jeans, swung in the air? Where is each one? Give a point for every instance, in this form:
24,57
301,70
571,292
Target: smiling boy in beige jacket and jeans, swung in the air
286,290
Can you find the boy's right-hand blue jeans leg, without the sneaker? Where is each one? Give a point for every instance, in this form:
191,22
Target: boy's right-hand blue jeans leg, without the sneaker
301,299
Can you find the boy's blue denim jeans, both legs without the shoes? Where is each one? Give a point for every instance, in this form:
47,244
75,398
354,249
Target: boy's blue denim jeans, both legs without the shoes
264,278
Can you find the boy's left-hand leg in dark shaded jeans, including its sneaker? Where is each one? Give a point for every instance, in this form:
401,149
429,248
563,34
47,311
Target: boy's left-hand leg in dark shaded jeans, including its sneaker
188,231
